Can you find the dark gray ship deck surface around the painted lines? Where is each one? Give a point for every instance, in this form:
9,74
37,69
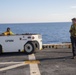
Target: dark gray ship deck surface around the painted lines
52,62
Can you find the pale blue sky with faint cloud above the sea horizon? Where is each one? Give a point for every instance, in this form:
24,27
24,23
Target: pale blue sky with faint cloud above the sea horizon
34,11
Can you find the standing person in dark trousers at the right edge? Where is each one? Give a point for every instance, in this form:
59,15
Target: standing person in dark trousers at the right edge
73,36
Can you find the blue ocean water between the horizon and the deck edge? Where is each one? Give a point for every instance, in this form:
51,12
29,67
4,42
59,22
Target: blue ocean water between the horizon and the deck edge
51,32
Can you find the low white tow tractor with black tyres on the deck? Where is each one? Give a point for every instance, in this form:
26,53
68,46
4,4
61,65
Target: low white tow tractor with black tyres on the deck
27,43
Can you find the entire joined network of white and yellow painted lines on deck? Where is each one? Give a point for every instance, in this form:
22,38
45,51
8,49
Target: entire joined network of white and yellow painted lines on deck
34,70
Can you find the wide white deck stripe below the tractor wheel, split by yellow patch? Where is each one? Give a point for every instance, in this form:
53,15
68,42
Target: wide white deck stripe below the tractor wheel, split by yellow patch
34,70
